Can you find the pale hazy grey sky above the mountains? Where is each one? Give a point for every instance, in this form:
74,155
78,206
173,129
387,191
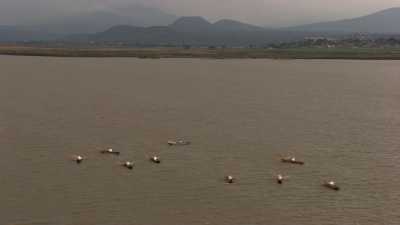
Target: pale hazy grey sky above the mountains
261,12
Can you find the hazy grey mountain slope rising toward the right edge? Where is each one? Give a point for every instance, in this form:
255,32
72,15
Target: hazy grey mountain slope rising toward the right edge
384,22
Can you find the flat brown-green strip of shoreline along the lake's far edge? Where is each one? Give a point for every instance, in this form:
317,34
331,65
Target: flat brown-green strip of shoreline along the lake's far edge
228,53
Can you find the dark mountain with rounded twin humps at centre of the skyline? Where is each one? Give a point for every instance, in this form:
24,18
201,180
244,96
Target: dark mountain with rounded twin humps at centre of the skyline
195,31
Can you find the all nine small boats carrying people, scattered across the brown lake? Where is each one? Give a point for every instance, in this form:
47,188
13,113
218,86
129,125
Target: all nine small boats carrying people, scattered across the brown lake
228,179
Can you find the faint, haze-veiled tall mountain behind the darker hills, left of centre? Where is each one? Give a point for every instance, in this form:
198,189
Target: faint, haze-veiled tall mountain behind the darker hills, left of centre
100,20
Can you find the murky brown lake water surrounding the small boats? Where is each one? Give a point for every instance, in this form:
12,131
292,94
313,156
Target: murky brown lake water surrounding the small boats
341,117
